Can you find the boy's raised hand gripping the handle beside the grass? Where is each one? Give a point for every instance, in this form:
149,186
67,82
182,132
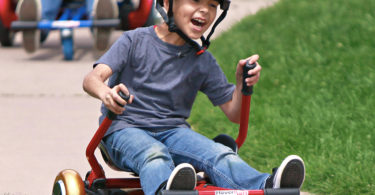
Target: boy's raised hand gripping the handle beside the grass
255,72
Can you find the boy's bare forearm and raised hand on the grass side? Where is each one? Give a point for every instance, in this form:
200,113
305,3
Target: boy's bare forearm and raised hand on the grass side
232,108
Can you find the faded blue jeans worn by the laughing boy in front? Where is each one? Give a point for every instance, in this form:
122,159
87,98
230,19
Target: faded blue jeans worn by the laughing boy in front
153,156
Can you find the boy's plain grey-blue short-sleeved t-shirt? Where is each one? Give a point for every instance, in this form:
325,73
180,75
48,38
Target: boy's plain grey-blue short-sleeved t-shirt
163,78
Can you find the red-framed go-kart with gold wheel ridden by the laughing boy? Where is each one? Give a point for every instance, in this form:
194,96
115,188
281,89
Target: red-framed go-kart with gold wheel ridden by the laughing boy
70,182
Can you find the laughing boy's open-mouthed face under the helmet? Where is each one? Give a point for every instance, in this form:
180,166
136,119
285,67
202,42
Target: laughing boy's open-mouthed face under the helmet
194,17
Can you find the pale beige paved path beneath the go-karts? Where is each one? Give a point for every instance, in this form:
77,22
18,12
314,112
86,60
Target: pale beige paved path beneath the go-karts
46,119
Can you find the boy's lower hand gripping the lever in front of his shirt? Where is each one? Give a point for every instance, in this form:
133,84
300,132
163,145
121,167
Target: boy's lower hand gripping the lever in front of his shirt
112,99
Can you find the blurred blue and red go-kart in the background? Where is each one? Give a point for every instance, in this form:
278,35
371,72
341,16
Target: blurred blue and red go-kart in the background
73,15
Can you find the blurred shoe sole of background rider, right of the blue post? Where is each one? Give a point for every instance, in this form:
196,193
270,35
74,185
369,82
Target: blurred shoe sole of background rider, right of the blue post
104,9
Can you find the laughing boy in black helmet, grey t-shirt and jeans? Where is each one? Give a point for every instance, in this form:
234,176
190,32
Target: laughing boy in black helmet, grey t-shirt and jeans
163,69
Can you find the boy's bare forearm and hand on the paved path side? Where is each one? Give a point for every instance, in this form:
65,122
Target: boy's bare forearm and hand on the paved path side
94,85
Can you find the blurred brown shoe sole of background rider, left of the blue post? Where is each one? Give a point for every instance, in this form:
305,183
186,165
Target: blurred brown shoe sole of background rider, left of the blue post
29,10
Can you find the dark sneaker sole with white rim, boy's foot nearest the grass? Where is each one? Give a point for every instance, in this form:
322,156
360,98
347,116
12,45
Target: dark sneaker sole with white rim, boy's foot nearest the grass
292,171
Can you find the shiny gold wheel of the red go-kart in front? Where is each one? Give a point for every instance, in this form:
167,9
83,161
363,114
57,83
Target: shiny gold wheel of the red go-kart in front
68,182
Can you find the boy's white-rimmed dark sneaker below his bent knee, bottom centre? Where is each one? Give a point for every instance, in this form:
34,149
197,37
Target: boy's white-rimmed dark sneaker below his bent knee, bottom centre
183,177
